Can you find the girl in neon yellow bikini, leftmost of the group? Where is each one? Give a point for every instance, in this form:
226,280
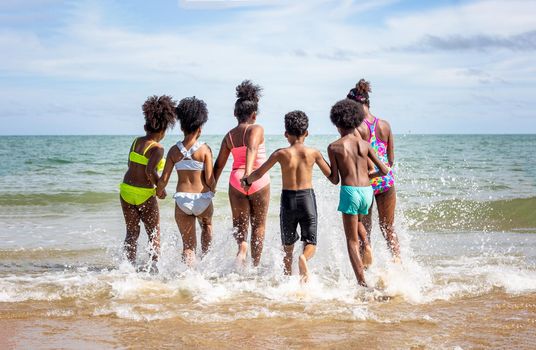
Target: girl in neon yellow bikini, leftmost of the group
137,192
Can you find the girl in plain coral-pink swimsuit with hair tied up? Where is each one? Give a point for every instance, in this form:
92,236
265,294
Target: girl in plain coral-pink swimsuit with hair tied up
246,143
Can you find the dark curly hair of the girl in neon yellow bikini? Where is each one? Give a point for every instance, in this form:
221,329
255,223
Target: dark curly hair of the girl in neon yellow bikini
159,113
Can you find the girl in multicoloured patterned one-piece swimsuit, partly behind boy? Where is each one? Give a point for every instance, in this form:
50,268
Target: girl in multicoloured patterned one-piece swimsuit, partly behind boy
379,135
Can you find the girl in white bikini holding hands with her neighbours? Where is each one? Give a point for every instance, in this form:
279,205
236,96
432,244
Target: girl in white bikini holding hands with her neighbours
193,161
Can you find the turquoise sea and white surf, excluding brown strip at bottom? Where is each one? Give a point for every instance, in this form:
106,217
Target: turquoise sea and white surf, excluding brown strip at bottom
465,217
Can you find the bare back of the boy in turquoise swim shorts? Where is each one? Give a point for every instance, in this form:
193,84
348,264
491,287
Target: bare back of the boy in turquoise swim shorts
349,156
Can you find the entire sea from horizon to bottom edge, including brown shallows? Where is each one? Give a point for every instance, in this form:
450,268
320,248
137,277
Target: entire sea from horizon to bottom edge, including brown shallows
466,218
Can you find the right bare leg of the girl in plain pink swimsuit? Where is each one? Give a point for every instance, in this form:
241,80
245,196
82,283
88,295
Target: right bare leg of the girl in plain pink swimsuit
259,202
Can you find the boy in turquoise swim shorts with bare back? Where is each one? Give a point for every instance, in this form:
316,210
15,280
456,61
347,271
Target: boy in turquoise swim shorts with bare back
349,158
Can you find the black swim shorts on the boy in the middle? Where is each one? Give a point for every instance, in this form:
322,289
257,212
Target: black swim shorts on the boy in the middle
298,207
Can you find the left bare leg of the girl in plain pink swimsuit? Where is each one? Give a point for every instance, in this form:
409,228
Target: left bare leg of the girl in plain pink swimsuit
240,211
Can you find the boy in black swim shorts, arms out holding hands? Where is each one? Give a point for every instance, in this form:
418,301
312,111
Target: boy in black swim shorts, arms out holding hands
298,203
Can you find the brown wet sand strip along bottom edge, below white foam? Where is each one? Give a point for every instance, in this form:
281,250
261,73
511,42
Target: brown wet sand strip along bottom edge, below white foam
494,320
